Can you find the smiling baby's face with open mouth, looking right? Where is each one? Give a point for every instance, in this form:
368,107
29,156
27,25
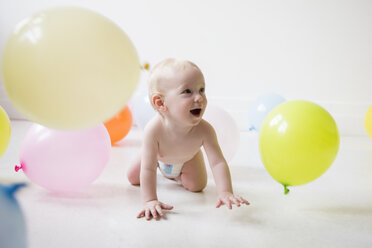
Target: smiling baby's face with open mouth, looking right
184,96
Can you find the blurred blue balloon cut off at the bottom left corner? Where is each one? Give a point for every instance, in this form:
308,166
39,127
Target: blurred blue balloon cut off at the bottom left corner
13,232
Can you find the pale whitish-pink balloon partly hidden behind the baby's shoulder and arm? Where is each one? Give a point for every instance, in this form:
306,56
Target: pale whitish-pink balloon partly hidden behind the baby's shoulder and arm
226,129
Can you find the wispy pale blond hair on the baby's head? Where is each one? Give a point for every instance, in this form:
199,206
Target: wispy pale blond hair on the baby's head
163,71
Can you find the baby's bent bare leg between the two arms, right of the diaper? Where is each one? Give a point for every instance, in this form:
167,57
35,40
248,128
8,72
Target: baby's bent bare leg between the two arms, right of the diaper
194,175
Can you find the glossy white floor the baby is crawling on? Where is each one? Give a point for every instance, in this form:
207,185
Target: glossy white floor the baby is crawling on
333,211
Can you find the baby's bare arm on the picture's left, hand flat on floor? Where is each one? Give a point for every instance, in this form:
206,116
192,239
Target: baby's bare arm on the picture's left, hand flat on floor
151,206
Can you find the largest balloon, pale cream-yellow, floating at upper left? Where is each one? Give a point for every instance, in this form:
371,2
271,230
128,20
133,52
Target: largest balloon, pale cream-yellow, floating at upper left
69,68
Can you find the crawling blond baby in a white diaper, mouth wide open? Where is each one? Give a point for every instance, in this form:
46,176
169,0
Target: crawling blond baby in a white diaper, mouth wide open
173,138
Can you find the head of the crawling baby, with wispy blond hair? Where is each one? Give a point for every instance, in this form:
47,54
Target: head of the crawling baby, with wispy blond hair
176,90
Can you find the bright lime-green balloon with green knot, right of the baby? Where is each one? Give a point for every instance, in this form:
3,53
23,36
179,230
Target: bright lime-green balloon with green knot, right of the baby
299,140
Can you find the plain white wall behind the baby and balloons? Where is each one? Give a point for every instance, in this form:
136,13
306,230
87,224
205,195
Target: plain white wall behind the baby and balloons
318,50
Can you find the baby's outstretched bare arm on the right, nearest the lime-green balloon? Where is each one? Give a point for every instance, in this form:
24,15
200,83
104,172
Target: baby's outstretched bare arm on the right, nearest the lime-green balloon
220,169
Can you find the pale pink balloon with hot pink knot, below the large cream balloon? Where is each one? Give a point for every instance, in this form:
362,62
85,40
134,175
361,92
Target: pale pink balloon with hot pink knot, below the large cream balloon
63,161
